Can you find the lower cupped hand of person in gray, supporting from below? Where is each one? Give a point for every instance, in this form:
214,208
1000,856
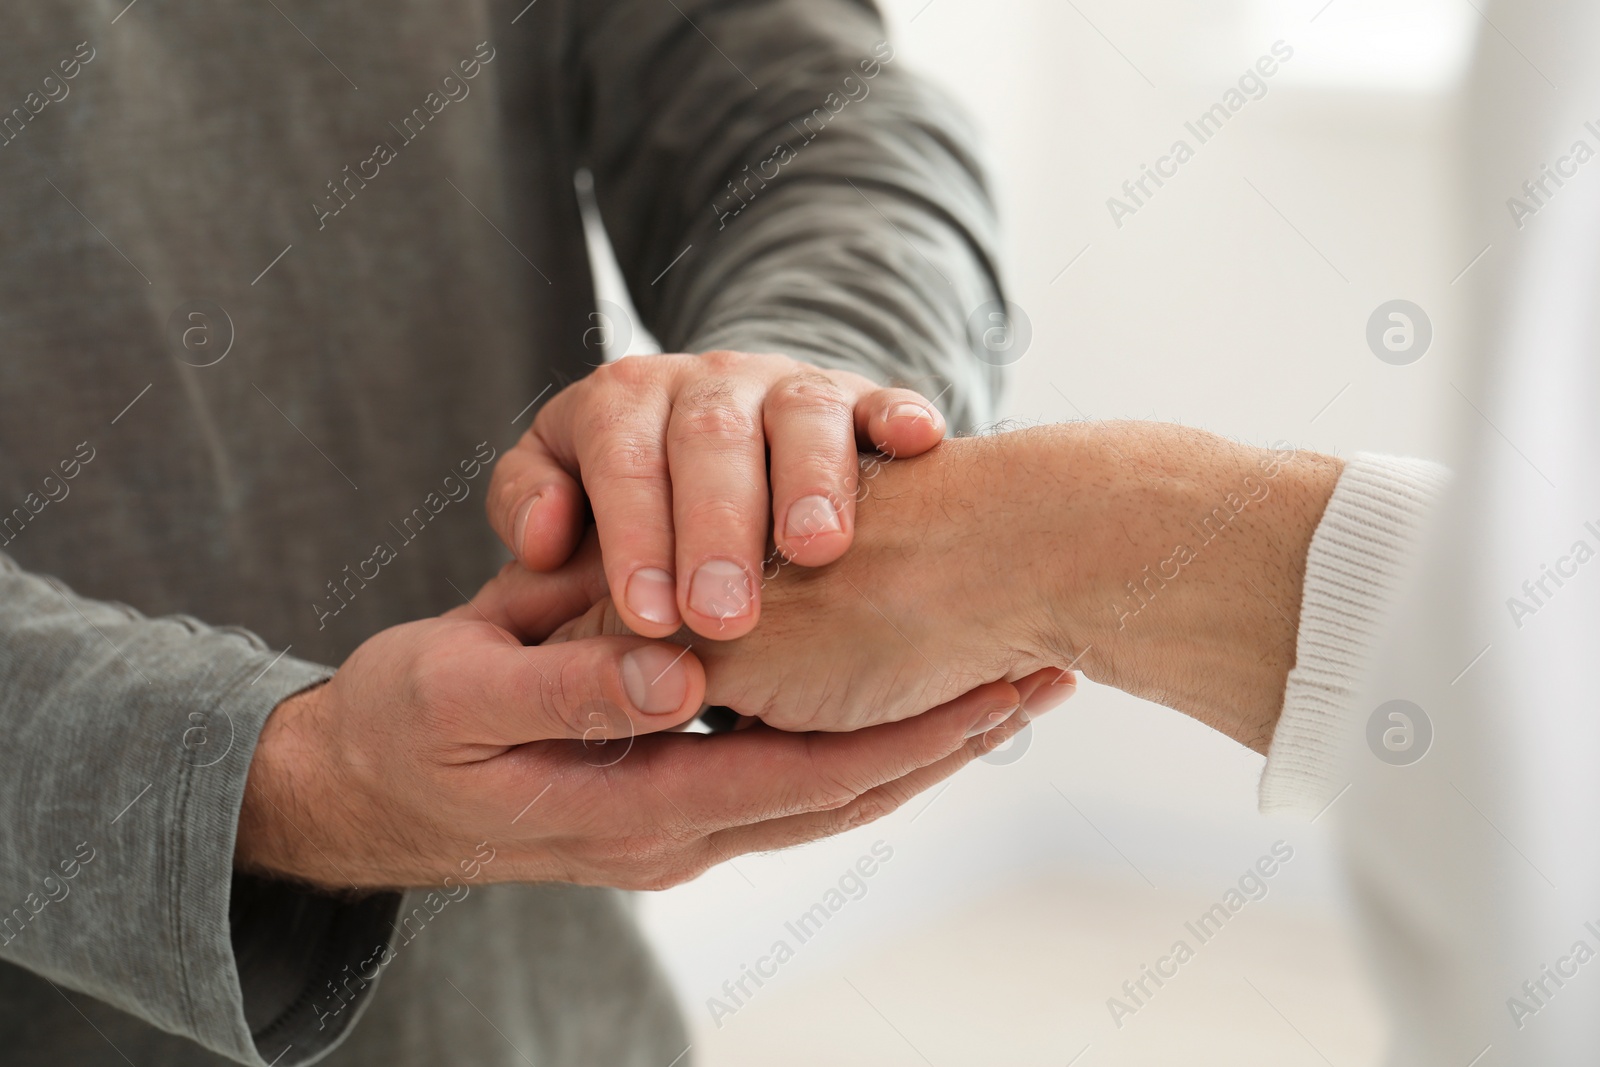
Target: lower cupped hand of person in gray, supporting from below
439,735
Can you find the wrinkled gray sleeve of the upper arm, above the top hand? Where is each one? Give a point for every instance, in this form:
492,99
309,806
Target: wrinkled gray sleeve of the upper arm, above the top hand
775,180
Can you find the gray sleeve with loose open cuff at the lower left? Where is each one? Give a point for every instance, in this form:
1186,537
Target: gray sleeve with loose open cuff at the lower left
127,748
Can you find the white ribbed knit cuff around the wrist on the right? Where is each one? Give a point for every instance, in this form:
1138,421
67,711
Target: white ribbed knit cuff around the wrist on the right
1358,559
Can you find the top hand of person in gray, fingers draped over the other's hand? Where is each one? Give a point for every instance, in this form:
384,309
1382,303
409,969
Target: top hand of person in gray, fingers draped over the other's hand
673,454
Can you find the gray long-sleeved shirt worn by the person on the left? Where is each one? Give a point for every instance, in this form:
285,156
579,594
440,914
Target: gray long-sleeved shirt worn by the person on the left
281,282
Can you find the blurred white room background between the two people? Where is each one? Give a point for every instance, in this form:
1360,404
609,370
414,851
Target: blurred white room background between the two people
1028,892
